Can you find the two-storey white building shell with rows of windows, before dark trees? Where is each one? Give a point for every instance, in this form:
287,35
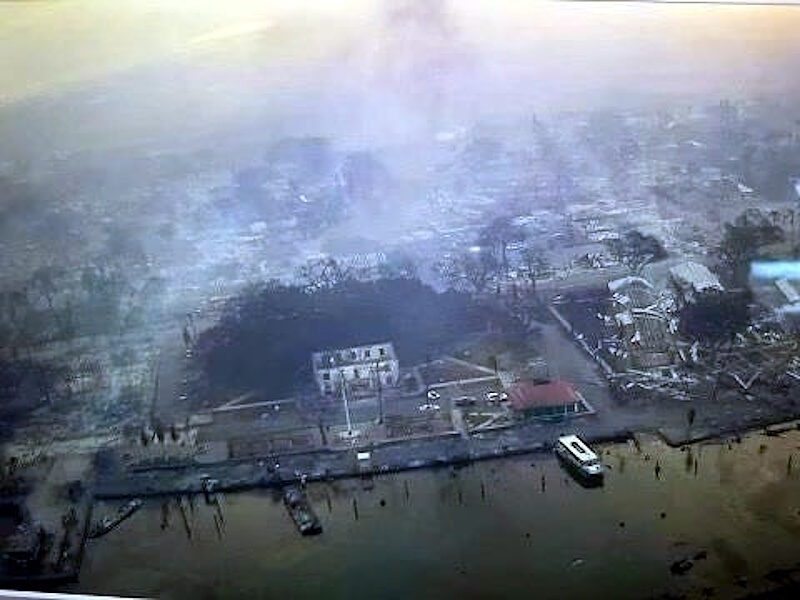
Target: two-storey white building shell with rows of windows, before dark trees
362,367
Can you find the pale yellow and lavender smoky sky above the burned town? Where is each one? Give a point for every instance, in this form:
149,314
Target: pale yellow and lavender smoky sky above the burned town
142,67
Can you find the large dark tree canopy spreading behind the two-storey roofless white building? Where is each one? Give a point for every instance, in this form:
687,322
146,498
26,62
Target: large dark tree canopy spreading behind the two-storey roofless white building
265,338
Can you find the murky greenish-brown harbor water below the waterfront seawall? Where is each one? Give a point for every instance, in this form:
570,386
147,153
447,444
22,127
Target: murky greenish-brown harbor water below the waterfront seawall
437,537
